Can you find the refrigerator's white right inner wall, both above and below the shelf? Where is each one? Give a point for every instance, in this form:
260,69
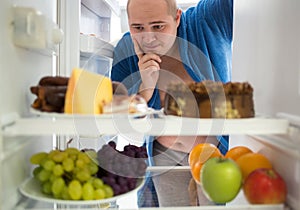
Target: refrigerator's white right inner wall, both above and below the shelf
266,52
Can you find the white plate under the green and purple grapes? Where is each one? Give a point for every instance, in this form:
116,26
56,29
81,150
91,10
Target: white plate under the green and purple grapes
31,188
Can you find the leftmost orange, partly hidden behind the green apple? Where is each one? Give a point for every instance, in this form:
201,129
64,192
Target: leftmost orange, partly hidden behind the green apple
199,155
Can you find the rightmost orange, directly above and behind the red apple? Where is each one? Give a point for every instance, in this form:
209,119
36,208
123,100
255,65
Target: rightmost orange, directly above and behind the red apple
252,161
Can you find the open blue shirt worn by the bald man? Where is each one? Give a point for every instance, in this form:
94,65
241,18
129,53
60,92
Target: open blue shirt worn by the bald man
205,45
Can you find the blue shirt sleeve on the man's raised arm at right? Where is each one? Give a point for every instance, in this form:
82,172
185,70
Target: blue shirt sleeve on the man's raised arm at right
207,28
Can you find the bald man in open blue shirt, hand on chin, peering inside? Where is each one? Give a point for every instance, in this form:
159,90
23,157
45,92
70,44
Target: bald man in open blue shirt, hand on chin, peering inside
167,45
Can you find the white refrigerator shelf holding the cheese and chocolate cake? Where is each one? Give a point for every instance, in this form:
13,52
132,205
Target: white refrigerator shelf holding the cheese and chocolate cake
94,126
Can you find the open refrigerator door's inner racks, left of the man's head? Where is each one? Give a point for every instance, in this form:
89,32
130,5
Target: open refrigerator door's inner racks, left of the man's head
96,25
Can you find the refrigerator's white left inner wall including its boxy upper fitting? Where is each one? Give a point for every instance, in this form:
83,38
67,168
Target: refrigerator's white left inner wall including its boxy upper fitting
21,65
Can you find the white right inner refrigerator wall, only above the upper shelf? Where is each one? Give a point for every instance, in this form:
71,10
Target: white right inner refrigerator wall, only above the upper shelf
266,52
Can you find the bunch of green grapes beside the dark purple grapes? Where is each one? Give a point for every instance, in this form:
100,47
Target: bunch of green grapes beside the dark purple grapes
70,174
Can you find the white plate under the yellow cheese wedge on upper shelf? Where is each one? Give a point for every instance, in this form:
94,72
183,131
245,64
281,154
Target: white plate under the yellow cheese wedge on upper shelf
98,116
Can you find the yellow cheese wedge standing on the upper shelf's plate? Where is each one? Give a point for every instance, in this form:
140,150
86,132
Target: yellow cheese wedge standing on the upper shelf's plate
87,92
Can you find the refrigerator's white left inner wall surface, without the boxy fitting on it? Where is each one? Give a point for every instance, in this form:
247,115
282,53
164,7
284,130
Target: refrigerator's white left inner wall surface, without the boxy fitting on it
20,68
